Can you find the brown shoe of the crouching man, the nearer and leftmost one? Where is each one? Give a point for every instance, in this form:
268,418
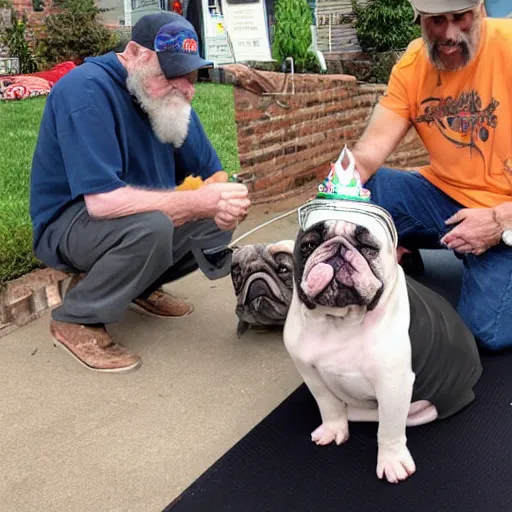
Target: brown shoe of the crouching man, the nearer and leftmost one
93,348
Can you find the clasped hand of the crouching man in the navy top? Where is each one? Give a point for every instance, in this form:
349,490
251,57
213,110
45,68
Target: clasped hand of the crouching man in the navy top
226,203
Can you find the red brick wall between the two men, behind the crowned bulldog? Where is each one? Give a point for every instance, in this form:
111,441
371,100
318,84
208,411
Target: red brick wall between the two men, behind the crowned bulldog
286,142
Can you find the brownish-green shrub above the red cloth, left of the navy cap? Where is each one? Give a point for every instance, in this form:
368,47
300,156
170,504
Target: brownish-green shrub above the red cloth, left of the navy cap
74,34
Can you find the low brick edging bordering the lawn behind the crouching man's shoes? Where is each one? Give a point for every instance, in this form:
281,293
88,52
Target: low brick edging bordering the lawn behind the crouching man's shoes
30,296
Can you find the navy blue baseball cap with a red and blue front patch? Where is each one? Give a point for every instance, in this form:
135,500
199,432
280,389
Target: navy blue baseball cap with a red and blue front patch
174,40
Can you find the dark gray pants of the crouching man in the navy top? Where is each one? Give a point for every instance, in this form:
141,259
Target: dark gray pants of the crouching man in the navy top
127,258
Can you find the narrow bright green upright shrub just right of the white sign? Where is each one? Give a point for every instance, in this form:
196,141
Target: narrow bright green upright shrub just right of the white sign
292,34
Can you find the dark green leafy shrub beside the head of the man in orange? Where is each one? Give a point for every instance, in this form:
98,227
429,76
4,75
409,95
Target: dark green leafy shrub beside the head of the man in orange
384,25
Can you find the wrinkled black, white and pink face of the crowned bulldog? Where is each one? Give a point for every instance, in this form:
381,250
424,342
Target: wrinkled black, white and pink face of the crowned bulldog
340,264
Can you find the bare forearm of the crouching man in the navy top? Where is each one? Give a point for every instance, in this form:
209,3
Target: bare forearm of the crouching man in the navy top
181,207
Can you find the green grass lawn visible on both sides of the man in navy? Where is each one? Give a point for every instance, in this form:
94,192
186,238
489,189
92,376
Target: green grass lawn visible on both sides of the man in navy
19,124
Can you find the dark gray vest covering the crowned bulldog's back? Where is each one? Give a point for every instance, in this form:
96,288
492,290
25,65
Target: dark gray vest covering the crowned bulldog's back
445,356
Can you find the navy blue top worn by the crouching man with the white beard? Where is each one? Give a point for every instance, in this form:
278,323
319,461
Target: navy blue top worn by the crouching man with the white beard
95,138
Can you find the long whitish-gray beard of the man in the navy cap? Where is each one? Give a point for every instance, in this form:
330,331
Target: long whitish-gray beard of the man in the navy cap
169,116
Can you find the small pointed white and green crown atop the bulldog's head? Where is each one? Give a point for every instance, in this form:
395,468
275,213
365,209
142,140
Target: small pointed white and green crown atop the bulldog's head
343,183
